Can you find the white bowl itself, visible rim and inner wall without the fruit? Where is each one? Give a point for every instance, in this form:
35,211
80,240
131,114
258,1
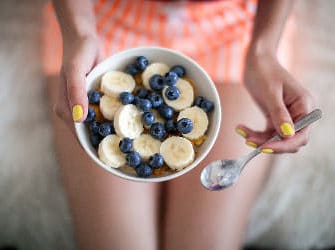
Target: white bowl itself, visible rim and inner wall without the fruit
204,87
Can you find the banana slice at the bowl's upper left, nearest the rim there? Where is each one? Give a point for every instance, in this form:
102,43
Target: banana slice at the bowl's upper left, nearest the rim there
113,83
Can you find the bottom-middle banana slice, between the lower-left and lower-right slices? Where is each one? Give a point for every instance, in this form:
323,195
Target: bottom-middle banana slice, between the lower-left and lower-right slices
146,146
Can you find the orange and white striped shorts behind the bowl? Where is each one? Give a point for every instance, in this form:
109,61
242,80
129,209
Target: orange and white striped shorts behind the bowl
214,33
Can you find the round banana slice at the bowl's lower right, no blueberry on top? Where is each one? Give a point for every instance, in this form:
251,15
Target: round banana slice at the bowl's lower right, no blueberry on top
177,152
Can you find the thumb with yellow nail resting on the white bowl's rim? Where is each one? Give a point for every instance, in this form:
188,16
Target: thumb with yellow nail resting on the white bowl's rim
76,94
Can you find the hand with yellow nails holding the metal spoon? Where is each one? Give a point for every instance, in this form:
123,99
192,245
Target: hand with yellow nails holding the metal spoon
282,100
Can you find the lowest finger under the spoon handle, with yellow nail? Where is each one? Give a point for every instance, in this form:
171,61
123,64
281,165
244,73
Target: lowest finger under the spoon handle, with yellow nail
287,145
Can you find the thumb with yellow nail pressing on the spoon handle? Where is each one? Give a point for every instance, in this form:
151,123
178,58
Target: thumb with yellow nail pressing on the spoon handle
280,116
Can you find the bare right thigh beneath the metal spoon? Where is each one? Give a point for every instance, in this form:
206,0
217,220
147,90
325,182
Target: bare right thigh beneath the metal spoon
200,219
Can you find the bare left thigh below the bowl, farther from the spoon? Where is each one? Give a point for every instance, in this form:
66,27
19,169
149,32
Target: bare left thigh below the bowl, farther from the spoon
108,212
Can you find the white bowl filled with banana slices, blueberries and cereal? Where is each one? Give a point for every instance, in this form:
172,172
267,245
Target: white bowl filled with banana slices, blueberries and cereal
154,114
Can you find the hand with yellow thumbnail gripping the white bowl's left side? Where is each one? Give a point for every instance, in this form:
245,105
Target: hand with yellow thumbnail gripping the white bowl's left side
80,54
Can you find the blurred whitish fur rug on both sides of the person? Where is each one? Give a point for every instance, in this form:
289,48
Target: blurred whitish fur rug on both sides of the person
295,210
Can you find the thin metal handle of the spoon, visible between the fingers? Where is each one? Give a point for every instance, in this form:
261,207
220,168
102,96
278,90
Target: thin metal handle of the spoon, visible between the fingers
303,122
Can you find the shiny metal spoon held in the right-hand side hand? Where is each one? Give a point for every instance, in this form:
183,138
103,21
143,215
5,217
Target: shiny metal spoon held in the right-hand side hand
223,173
